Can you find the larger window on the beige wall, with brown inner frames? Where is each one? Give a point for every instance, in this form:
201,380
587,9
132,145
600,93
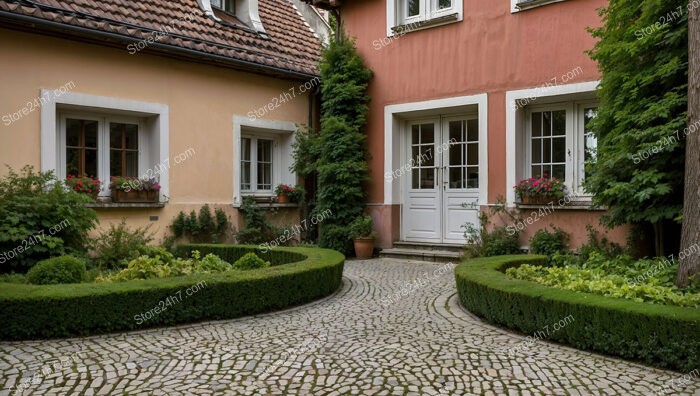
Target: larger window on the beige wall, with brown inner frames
100,146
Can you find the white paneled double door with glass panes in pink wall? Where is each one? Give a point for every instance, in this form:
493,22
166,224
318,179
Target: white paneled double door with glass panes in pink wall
442,184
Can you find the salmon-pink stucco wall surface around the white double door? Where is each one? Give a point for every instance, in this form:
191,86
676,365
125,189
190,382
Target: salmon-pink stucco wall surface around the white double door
491,51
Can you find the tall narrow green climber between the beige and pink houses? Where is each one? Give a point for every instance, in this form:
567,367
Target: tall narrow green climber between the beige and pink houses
342,165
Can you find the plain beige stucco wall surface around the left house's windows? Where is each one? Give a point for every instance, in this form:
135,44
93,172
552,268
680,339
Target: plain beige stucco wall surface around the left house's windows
201,101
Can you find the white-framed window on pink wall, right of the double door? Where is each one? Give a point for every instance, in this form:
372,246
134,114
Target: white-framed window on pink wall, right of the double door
559,142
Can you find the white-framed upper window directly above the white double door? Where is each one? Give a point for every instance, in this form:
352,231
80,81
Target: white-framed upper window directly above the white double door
408,15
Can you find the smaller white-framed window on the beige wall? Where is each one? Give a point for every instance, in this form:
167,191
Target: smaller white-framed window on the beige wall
258,164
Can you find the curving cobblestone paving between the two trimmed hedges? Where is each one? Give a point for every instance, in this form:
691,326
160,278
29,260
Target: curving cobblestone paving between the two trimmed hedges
376,336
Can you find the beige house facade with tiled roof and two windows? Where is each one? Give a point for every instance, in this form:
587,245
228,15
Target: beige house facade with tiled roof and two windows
203,95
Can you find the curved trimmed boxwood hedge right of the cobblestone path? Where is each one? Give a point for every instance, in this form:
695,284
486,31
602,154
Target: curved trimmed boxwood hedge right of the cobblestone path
658,335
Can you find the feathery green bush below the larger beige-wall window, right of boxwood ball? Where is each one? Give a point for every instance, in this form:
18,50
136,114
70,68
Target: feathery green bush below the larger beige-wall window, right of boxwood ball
120,244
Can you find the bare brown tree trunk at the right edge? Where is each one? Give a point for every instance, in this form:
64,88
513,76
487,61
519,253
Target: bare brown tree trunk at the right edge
690,238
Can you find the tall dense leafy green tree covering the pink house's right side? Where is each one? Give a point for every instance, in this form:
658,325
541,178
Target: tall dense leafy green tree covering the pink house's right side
638,174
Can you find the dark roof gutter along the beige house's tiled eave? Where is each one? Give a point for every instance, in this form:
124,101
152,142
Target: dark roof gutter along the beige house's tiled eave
86,33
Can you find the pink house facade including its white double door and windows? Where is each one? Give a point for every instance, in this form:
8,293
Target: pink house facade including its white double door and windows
468,98
